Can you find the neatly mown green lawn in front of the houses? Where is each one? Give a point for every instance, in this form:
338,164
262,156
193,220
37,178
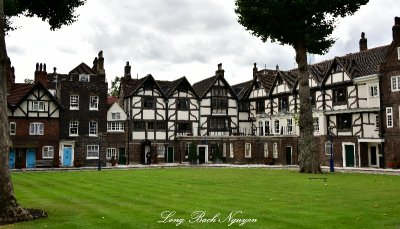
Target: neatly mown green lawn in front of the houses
274,198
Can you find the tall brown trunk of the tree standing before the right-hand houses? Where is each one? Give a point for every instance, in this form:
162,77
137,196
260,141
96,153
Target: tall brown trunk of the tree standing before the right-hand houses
308,154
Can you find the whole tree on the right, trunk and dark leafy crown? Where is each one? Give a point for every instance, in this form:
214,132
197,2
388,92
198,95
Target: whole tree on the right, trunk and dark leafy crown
306,25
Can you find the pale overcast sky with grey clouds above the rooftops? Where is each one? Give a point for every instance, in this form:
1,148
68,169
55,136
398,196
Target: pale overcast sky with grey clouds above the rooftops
175,38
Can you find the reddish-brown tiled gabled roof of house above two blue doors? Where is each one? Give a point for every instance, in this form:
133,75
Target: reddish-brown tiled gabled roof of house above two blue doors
19,92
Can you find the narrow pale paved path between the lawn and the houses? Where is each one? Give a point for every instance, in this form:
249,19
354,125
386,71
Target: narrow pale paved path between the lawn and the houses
185,165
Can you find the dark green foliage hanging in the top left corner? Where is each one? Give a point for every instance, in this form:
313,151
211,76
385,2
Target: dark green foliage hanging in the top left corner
56,12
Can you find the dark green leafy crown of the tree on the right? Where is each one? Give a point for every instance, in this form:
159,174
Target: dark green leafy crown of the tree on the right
292,21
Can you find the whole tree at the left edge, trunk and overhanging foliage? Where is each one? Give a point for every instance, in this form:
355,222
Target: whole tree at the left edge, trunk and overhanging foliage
56,13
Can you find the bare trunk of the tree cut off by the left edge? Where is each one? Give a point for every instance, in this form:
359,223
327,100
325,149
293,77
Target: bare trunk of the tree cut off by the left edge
10,211
